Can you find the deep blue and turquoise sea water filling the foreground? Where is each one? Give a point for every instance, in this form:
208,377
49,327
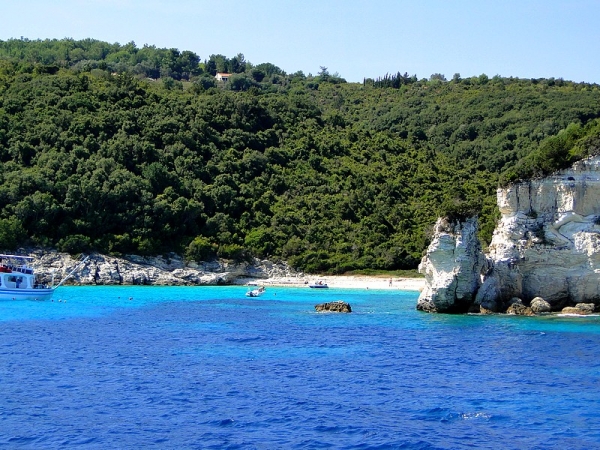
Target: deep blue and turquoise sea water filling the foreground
206,367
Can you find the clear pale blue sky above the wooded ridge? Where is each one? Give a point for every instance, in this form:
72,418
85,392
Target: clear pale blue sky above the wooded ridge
354,38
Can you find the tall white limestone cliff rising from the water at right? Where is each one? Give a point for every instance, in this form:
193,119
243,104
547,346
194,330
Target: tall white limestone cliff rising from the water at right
547,244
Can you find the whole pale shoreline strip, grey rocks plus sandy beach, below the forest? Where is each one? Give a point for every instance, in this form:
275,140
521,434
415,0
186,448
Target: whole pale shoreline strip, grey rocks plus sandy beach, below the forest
172,270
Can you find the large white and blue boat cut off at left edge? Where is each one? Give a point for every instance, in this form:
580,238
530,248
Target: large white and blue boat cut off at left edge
18,280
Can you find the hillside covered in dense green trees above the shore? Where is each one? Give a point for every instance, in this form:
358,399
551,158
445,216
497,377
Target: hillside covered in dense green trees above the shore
140,150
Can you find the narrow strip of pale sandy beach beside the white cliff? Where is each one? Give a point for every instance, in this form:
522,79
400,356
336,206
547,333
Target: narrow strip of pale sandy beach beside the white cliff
342,281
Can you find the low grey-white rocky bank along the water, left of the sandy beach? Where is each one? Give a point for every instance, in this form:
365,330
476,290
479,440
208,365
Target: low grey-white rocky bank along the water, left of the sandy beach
136,270
